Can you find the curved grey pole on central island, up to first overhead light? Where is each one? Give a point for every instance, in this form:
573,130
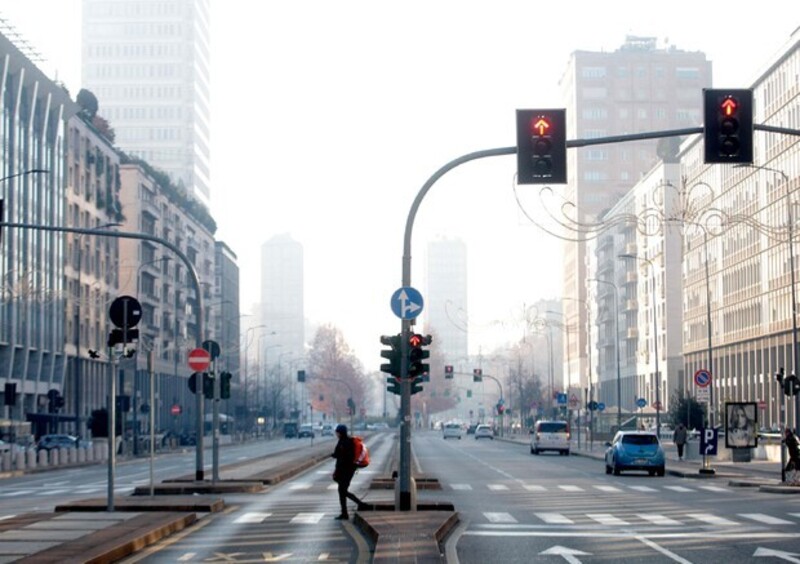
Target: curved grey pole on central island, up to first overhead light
404,481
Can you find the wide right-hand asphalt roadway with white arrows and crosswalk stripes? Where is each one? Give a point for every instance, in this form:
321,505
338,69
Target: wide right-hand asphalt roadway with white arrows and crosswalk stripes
516,507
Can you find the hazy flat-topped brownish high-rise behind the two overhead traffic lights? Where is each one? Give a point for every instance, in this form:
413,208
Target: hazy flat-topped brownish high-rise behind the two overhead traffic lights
639,87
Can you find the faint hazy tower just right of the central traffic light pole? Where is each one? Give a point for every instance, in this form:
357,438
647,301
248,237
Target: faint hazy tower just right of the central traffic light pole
446,298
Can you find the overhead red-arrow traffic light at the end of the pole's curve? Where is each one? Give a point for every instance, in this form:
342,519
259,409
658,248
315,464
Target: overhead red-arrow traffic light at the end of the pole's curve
541,146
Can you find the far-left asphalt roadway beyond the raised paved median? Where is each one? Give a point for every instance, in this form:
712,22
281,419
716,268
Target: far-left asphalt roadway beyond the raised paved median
42,491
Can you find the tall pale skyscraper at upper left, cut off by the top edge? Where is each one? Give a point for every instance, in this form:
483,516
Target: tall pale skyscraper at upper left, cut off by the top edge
147,61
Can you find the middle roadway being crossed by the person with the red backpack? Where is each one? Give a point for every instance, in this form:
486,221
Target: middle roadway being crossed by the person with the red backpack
292,521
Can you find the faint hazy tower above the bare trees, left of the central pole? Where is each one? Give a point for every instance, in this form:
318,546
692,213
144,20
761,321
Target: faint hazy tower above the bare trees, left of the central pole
282,312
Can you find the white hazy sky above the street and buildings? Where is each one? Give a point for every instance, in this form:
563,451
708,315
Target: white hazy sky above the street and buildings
328,117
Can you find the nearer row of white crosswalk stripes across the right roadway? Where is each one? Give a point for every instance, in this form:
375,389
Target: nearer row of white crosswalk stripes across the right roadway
641,519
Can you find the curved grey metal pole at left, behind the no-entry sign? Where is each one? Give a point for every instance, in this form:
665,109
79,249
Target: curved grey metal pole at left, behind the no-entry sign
195,280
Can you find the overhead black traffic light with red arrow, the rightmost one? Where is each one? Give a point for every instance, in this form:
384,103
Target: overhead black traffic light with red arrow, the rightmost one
728,125
